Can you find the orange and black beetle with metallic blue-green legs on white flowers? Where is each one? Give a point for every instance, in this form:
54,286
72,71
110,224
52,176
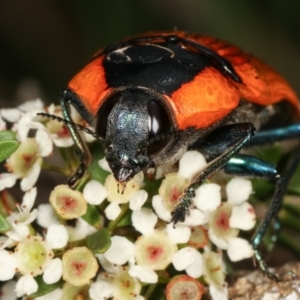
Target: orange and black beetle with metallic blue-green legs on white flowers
153,97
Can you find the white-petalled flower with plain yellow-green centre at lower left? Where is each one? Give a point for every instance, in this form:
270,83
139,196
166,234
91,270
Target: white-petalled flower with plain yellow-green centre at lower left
34,256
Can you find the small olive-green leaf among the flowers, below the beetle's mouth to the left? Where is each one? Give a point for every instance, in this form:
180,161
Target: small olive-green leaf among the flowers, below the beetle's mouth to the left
99,241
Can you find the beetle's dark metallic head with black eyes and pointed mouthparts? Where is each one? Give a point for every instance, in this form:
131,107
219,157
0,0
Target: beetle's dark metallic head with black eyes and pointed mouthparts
128,121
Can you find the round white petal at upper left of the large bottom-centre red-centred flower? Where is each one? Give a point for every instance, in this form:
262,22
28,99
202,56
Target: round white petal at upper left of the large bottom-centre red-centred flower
144,220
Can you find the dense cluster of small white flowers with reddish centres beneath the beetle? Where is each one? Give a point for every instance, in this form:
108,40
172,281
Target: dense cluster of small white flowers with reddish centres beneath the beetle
97,243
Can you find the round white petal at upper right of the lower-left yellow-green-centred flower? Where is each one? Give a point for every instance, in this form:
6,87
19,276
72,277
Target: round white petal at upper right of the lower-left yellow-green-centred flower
57,236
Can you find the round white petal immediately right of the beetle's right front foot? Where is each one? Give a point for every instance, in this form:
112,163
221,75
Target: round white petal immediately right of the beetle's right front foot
208,197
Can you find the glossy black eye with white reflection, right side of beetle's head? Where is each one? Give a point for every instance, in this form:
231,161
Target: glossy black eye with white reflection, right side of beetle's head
159,123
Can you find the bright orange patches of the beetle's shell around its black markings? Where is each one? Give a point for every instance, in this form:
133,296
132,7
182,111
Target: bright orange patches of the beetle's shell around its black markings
209,96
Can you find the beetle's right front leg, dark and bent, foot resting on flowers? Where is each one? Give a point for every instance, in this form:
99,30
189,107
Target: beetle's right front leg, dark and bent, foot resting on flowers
238,135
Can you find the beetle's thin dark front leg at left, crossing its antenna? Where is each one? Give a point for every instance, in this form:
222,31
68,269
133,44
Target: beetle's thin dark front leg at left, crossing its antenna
81,148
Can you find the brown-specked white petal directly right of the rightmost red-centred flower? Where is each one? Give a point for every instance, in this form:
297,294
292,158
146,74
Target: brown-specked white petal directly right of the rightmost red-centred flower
242,216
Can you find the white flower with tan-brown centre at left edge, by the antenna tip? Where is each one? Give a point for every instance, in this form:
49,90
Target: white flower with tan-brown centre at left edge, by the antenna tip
25,162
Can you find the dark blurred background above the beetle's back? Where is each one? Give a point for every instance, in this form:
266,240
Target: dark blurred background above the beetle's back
43,43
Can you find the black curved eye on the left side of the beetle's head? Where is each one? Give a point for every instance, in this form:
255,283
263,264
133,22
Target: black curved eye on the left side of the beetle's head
103,114
